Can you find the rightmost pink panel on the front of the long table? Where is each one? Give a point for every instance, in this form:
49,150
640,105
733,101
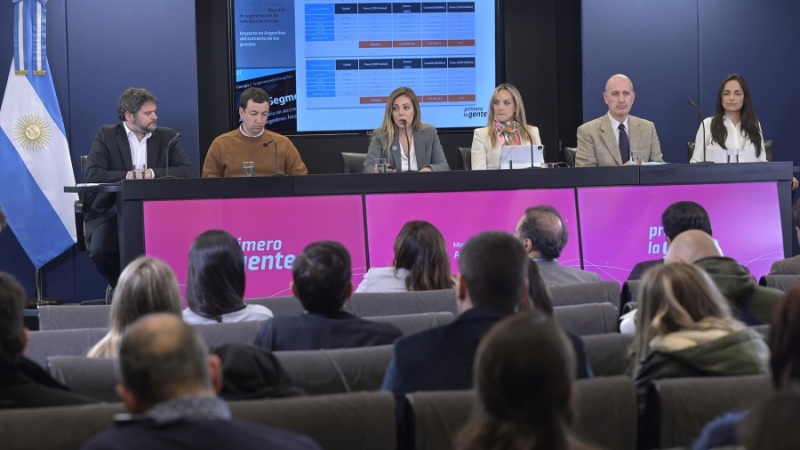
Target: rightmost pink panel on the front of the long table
621,226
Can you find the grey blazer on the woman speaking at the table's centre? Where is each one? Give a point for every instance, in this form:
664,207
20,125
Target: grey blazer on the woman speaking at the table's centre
427,148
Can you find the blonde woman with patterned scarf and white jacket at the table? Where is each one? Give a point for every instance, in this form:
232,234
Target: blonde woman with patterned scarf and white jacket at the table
506,126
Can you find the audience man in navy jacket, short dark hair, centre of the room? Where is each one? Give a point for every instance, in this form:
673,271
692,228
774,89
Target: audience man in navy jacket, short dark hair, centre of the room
492,283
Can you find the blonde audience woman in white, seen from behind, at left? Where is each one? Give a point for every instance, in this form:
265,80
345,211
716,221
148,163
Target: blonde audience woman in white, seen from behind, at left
146,286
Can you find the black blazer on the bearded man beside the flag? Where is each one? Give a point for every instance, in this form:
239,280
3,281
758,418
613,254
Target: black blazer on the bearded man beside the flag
110,160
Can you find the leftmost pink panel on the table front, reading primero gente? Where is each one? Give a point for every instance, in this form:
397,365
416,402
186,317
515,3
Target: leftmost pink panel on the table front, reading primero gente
271,231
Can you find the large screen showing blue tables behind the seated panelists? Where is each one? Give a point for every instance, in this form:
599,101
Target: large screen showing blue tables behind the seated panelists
330,65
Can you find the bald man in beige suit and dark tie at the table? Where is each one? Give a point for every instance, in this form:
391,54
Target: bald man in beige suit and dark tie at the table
599,140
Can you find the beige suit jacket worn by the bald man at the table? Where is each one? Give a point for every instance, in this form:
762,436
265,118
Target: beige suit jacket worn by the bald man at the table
597,145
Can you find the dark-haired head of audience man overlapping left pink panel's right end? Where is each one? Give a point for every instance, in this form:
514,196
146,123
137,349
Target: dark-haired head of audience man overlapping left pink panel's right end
322,277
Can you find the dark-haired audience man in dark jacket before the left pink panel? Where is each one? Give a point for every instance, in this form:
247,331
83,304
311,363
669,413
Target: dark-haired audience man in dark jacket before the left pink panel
321,280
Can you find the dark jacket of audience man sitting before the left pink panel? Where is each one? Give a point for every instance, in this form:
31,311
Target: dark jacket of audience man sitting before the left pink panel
313,331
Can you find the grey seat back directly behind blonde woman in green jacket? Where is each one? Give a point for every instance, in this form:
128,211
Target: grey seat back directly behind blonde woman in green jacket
676,409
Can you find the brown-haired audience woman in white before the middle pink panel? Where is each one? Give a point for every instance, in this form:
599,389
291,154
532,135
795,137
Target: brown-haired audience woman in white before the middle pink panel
421,262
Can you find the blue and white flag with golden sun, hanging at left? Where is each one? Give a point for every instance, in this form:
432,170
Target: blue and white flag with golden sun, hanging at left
35,161
